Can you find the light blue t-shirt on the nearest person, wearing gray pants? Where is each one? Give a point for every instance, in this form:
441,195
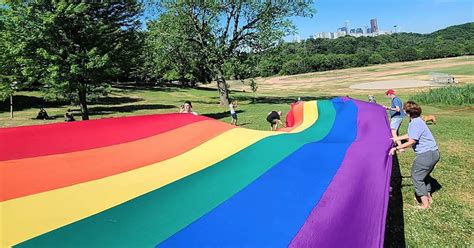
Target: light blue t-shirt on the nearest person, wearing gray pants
419,131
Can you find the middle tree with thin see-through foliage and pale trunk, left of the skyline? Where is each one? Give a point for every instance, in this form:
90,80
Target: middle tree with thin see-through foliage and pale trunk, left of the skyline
212,33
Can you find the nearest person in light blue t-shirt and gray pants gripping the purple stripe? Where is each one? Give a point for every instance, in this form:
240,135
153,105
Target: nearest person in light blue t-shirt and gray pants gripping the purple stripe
427,155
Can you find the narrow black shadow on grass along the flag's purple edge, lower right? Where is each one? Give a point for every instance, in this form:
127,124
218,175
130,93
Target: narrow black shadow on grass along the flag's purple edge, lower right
395,226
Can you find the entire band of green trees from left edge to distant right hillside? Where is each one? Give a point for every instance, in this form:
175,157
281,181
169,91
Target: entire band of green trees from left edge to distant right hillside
76,50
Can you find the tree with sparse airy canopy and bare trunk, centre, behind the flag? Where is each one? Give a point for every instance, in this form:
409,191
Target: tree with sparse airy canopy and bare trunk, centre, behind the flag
223,29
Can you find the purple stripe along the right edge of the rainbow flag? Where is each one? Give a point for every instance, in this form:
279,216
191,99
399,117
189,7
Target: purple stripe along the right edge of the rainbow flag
352,211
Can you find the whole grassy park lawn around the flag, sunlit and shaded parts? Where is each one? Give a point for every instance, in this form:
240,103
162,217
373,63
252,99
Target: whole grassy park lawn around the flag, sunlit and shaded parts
448,223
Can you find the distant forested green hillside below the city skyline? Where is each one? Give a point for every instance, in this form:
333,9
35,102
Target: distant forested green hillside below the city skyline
319,54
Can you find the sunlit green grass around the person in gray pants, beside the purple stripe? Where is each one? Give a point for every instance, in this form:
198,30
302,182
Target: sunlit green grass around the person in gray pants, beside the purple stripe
449,223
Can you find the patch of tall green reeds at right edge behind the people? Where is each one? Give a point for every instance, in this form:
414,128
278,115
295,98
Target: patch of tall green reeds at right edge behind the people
450,95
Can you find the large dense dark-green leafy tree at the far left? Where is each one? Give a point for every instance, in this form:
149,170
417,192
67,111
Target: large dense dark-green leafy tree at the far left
74,49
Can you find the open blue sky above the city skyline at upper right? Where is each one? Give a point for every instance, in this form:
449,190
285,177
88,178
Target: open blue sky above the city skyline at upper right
417,16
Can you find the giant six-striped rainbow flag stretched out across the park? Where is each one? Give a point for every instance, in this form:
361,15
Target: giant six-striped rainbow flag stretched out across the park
179,180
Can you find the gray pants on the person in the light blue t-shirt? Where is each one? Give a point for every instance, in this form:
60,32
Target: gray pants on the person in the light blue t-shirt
421,170
